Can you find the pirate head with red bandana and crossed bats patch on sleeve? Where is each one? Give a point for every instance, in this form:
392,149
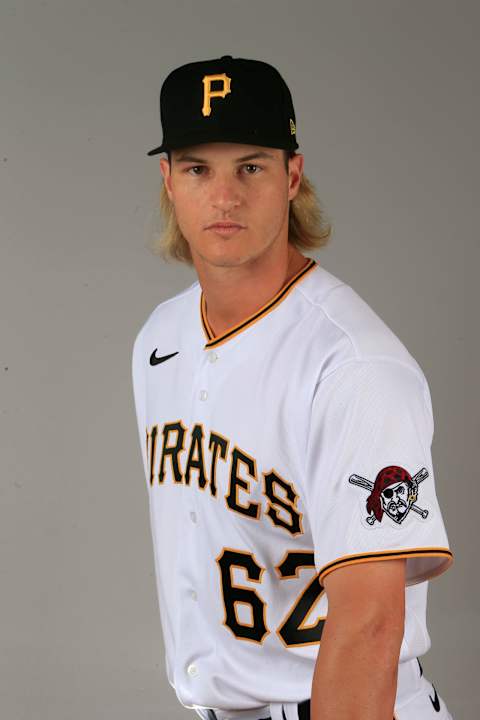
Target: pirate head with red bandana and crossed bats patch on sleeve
394,492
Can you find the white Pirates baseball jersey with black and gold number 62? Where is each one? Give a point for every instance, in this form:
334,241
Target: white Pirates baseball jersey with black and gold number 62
295,443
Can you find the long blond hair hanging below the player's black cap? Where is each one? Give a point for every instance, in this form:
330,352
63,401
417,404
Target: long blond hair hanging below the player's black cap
308,228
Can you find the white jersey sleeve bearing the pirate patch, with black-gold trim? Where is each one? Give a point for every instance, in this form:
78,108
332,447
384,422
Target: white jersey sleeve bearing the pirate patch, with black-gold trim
369,485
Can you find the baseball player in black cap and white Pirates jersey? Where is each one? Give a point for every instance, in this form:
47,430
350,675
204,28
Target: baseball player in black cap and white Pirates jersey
285,433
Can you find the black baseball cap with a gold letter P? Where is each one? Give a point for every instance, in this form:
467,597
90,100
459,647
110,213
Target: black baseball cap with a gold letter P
226,99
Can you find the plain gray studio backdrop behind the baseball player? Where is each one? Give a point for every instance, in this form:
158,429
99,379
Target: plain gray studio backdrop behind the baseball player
386,96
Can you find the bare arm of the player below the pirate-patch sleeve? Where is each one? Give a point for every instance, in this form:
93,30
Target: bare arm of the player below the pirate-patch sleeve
355,676
